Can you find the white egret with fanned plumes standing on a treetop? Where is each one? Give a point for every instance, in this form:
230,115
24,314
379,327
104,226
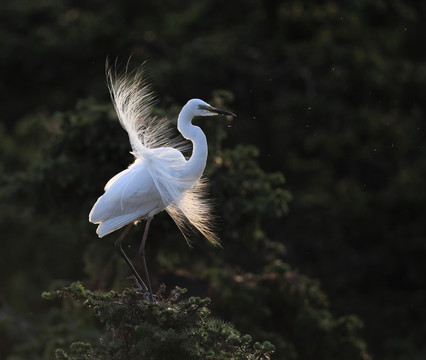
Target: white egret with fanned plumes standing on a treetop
160,178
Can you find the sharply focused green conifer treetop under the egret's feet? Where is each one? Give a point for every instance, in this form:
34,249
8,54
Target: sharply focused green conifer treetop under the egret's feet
166,329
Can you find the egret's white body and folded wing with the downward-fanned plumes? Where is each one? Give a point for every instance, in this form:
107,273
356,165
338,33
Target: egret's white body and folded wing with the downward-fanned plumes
149,186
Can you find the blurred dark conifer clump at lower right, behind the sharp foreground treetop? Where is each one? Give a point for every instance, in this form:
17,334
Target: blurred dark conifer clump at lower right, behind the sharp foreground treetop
290,310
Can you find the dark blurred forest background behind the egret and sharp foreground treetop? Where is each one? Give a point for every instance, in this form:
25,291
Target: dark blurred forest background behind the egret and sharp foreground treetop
328,93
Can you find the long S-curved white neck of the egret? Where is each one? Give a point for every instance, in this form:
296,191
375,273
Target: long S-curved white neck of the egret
195,165
